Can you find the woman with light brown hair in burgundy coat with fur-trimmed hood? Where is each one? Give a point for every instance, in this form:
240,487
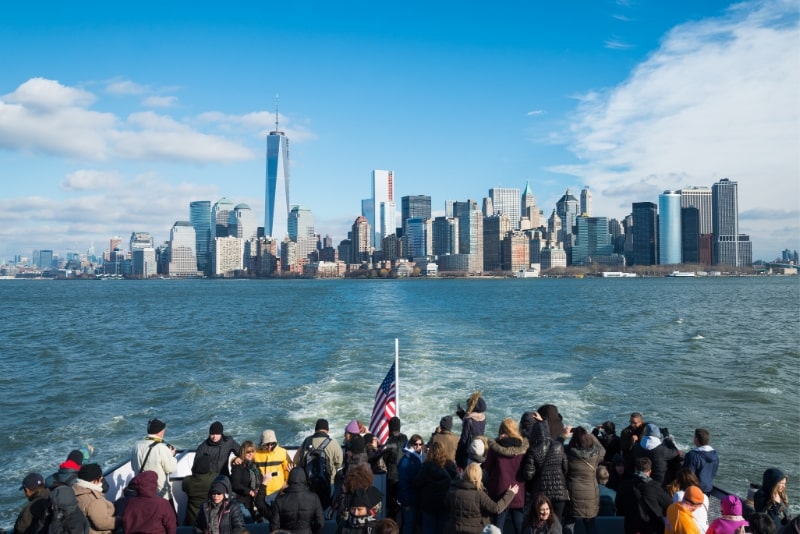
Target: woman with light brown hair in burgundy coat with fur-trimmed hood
502,468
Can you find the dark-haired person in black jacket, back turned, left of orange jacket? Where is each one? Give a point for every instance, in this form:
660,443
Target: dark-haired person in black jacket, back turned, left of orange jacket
642,501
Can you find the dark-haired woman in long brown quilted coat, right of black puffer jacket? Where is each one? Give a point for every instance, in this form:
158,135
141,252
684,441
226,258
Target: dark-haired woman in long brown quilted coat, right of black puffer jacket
584,454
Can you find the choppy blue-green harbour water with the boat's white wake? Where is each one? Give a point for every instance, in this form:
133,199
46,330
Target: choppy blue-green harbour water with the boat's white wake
92,361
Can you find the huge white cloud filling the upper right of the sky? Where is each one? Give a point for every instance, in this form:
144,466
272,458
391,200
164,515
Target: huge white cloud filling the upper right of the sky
717,99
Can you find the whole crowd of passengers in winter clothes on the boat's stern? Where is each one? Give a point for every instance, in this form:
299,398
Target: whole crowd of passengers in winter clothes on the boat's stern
533,476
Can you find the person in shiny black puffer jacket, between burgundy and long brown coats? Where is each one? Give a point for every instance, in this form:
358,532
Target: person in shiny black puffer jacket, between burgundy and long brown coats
545,466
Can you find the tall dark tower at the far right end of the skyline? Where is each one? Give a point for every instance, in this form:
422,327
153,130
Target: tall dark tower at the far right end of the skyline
730,247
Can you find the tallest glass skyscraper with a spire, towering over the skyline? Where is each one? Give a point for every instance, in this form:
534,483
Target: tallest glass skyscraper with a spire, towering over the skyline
276,199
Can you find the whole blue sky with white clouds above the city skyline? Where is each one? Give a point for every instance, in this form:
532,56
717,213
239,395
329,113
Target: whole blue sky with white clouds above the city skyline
115,115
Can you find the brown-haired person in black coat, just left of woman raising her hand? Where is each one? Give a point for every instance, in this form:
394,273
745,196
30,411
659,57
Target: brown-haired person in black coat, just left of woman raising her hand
431,484
